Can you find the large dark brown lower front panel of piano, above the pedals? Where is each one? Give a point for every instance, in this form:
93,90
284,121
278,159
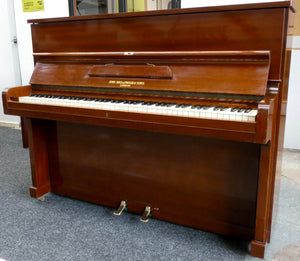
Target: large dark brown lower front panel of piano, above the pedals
205,183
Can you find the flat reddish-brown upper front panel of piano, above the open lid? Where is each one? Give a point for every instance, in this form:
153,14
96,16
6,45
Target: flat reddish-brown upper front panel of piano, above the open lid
211,31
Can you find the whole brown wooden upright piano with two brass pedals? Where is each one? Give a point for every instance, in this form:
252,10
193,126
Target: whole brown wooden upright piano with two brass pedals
171,114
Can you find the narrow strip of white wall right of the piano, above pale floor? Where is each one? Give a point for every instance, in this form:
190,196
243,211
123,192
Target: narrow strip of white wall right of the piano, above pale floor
292,126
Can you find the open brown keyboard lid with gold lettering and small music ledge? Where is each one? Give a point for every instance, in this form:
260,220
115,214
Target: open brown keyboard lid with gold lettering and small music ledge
238,73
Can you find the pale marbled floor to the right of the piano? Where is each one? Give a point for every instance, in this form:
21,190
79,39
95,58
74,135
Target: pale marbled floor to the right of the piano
285,240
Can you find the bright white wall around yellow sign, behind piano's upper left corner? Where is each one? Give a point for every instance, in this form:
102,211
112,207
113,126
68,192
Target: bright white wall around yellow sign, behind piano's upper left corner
53,8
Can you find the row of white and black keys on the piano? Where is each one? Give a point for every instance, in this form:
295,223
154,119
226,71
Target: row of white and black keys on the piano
160,108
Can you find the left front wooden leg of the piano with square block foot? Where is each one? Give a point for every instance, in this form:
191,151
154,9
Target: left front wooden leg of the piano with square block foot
38,148
